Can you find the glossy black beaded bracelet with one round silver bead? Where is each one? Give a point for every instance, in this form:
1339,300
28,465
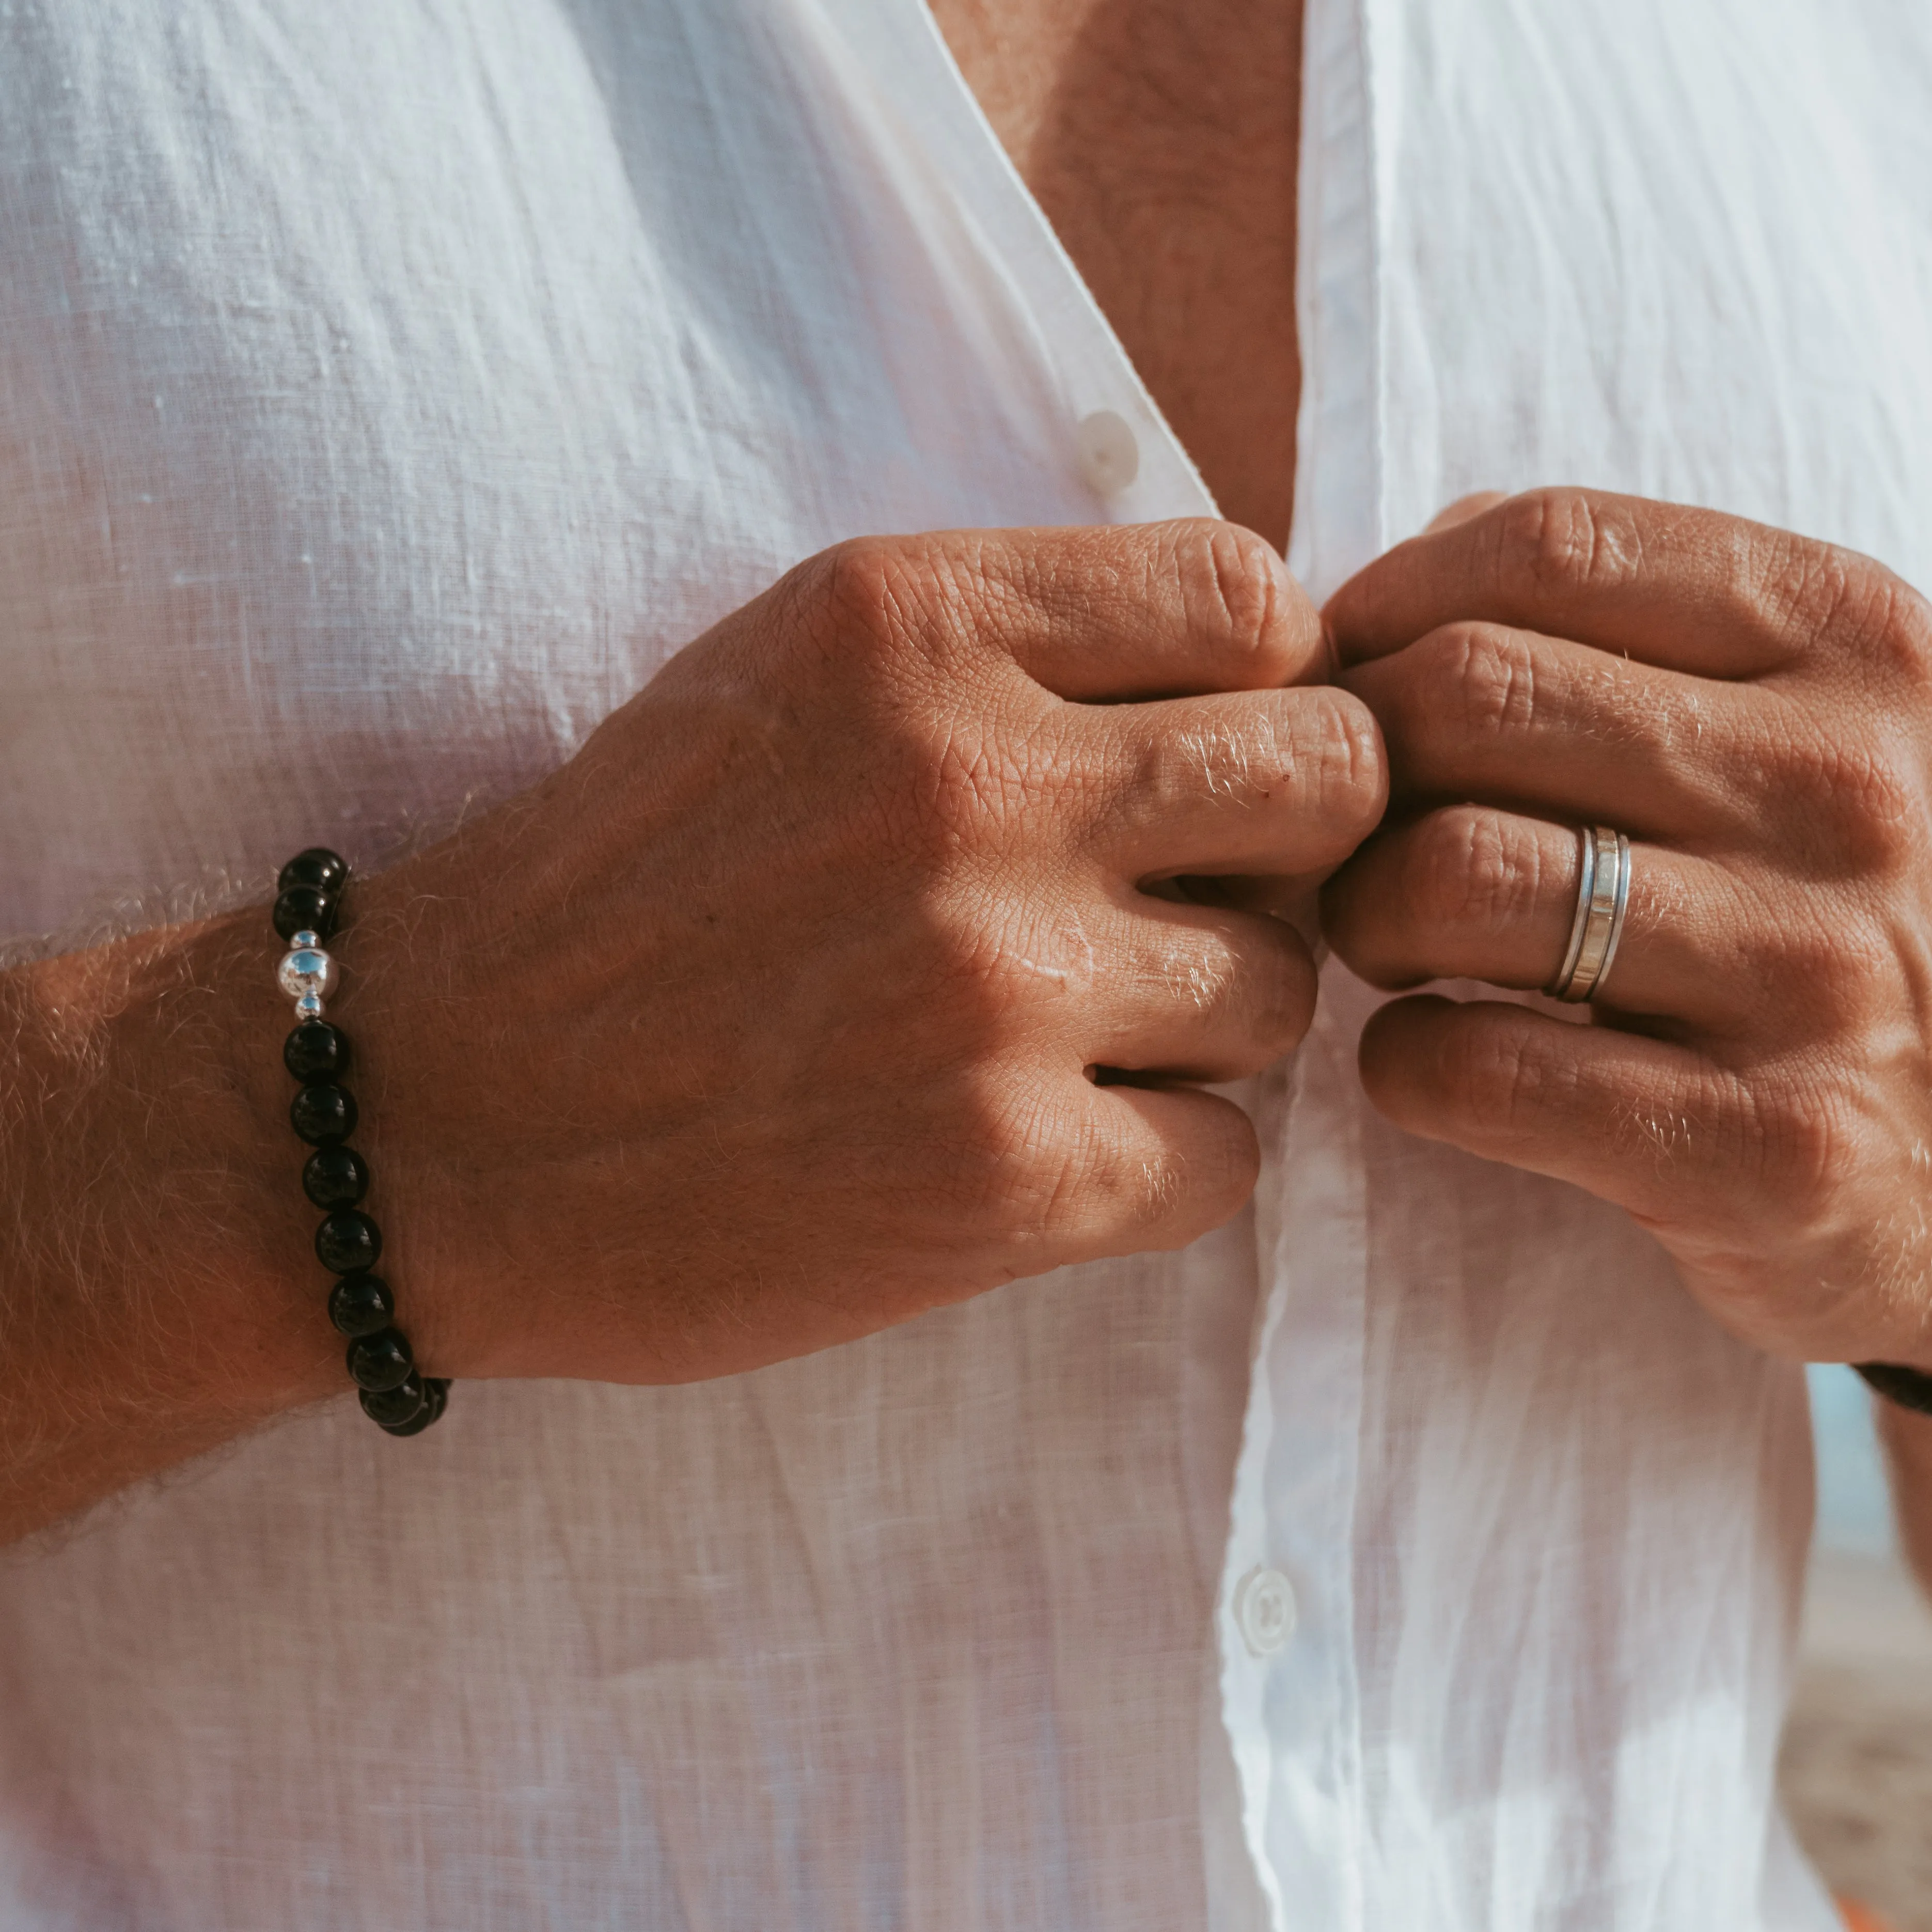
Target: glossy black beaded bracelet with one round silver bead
324,1114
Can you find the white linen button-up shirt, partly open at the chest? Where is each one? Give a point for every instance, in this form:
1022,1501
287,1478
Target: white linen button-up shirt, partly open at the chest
385,391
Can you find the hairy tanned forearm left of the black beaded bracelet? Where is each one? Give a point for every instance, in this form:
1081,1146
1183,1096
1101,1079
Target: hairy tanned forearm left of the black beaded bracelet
156,1288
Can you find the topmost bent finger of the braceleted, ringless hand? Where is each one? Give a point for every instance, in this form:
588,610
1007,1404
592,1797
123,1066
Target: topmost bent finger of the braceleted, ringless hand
1141,611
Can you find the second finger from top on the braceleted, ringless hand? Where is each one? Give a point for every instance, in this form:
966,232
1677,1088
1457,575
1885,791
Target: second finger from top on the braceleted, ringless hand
1261,781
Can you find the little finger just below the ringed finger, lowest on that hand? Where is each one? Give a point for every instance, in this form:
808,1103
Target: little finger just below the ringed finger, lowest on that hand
1632,1120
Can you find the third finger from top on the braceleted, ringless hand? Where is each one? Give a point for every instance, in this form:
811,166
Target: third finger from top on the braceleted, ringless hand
1199,994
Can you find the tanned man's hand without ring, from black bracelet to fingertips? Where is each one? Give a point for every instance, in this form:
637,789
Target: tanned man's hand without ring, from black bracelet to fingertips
824,984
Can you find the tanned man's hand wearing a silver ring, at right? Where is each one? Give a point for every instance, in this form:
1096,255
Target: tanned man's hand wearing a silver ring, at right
1755,710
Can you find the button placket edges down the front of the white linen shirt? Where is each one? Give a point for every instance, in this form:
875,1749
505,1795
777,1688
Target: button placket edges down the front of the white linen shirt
1284,1618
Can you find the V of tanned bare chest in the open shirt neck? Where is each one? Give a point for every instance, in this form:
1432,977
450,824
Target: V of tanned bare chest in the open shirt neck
1160,136
